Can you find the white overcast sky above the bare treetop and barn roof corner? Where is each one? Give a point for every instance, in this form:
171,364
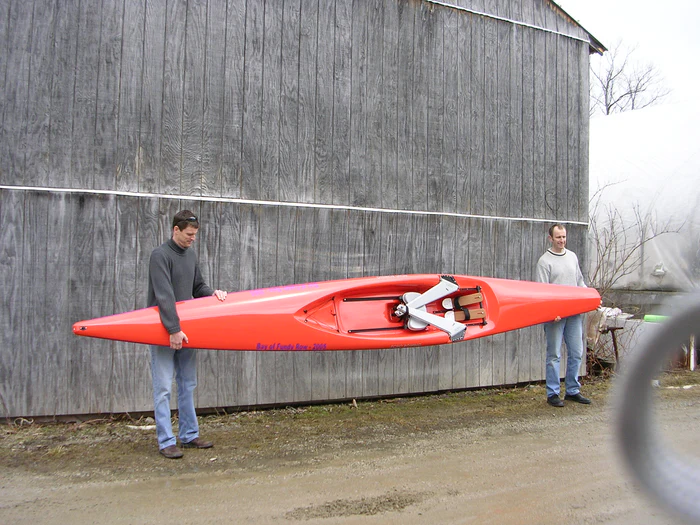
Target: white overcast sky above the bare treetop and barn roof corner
666,34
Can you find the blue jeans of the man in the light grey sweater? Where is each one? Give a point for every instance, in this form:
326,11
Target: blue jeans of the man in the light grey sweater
570,330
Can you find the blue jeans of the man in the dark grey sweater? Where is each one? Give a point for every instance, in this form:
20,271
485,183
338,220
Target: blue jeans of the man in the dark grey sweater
183,364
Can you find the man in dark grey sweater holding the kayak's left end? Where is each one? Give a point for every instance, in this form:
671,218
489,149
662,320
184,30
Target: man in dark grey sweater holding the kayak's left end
174,275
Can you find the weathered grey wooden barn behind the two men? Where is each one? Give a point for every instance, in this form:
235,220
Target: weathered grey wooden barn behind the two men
316,139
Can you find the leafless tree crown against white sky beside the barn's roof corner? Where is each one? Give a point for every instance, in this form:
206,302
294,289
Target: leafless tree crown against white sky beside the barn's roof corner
619,83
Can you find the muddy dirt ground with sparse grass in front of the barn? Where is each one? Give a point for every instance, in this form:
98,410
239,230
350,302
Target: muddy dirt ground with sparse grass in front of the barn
487,457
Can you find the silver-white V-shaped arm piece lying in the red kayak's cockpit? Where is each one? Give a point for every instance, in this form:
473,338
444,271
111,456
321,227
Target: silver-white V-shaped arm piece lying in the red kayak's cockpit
414,304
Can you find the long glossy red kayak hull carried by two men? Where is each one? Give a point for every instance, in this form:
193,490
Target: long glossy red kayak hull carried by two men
348,314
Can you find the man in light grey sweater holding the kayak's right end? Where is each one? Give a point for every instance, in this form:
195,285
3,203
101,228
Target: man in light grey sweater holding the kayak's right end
560,266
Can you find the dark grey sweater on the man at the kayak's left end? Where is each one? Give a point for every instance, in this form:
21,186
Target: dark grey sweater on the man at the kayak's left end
173,275
